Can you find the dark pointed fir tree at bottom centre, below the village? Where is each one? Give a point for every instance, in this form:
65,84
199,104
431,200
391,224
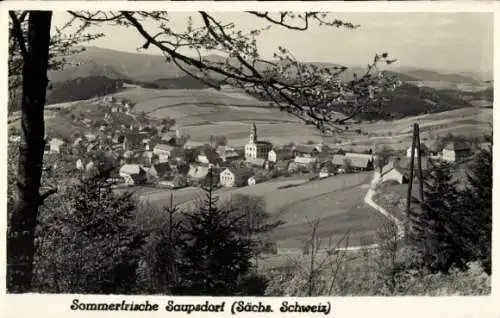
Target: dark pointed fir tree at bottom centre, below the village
215,254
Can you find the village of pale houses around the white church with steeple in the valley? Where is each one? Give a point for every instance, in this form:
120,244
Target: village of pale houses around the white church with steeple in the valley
140,151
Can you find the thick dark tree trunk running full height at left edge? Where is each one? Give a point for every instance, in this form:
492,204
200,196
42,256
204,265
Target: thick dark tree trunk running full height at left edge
23,220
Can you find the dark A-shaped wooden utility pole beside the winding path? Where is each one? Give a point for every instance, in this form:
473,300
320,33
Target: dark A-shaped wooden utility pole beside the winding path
415,149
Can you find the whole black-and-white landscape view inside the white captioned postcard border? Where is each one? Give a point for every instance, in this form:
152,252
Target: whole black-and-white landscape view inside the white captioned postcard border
249,153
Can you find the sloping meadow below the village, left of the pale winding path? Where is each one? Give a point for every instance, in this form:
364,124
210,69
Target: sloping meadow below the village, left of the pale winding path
337,201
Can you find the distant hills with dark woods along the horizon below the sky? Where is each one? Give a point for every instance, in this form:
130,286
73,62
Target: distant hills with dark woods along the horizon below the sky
97,72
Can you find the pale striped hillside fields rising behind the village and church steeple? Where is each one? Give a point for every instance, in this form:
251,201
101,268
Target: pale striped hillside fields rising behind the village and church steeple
206,112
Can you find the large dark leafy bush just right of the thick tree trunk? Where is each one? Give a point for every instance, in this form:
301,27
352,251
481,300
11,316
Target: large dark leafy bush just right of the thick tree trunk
94,246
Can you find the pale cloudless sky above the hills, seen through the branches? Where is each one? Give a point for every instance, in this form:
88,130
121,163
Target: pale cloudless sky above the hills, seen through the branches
455,41
